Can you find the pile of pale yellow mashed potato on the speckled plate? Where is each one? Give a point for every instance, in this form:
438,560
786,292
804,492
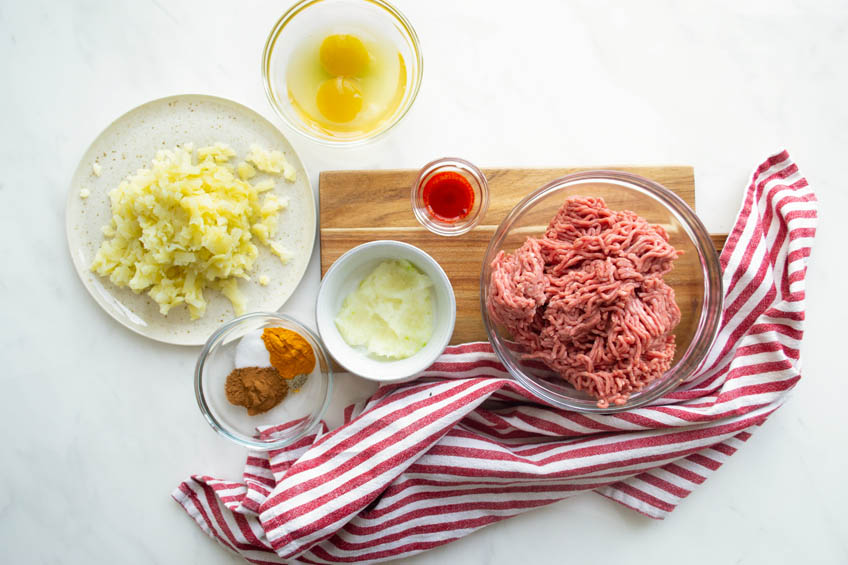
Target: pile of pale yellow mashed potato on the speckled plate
182,225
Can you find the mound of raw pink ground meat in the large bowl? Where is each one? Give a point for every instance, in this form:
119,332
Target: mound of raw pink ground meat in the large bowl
588,299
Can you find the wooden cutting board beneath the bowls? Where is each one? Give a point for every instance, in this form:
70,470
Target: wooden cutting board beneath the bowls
361,206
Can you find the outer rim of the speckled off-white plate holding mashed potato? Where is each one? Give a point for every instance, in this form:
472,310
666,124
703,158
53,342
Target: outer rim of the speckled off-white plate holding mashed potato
195,335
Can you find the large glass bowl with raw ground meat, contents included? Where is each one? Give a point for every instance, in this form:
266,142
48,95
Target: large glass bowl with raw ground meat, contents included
601,291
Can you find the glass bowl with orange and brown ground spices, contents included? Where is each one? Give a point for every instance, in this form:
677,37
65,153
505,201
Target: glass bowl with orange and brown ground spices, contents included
263,380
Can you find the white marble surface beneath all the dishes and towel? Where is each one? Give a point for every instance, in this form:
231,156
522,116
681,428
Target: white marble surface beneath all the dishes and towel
97,425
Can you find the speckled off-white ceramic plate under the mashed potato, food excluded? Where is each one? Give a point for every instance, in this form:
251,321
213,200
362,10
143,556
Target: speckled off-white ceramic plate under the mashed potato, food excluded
128,144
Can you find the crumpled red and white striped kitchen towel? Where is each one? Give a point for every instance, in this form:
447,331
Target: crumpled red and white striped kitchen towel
425,463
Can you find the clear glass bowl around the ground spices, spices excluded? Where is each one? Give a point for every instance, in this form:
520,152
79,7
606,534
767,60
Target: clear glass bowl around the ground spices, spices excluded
306,406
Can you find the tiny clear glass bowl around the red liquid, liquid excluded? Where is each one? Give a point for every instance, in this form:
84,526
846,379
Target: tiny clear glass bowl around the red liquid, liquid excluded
475,178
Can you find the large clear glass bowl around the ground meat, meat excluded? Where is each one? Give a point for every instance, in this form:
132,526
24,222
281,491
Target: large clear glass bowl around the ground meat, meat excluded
696,279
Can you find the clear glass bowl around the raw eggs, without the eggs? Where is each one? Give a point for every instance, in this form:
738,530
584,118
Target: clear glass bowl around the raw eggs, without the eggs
309,17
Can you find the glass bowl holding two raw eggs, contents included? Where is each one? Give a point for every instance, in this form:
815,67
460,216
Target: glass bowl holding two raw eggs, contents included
342,72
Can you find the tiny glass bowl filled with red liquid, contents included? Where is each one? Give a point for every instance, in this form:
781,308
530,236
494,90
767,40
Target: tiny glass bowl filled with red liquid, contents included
450,196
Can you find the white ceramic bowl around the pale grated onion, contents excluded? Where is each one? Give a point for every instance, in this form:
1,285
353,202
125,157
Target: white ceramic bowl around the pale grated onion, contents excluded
344,277
